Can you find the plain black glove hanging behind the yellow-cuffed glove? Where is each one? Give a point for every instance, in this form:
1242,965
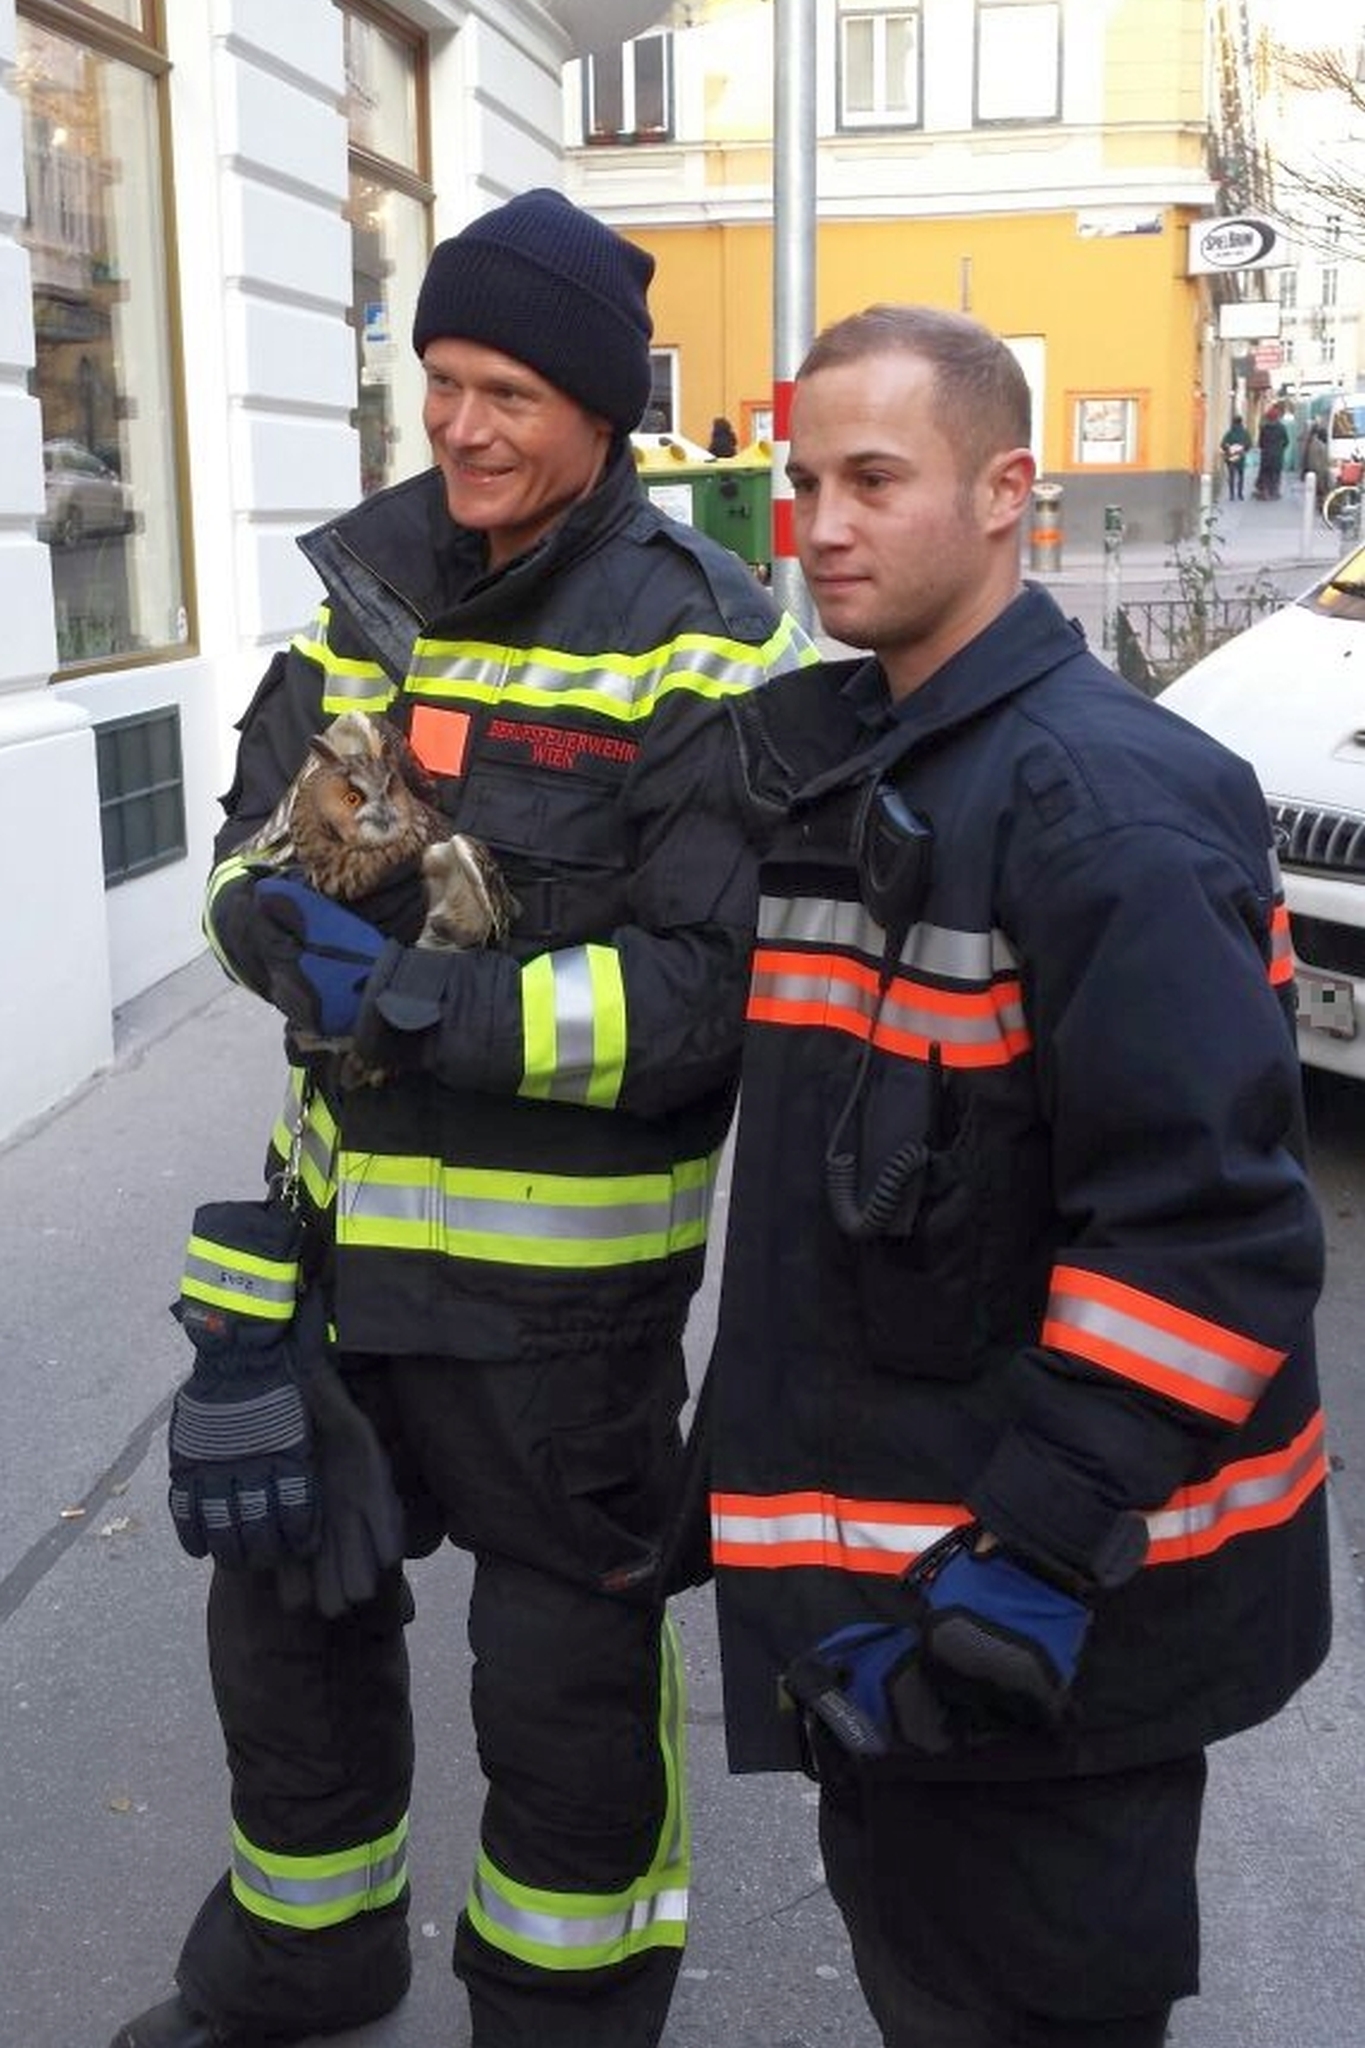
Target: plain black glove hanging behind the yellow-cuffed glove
361,1510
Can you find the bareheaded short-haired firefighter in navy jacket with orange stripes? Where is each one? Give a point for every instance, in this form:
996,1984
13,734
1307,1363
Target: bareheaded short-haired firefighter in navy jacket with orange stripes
1018,1451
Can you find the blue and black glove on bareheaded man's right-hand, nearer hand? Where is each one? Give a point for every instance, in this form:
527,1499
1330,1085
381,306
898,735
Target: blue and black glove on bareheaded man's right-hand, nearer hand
998,1644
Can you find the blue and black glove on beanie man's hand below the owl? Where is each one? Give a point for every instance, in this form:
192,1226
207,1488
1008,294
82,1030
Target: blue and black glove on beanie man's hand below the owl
316,957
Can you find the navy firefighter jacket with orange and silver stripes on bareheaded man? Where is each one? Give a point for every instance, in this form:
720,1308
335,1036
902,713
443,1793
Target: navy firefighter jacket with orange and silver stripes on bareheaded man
1022,1228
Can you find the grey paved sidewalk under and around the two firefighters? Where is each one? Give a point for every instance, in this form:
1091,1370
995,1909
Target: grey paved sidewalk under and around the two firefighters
114,1789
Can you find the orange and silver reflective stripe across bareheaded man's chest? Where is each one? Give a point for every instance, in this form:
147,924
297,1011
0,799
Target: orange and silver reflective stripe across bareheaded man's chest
830,992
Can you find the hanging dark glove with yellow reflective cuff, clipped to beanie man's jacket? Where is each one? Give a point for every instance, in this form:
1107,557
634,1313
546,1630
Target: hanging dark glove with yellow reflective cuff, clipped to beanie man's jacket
243,1478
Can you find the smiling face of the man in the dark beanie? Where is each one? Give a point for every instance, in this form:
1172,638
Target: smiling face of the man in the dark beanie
513,450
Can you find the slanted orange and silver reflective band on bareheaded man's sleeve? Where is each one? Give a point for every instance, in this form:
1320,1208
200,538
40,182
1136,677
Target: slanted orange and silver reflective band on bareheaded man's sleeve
1155,1345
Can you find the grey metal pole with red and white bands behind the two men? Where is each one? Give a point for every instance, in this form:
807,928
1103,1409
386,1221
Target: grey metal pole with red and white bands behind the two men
793,267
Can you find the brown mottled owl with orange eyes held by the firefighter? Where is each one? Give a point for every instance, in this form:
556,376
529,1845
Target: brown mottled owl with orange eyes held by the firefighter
359,808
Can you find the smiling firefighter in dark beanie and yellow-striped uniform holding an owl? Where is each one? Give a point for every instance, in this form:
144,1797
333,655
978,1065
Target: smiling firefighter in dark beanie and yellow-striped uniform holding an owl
513,1224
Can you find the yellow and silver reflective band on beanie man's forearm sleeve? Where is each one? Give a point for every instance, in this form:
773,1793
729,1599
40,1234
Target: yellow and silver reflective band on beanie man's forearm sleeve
574,1027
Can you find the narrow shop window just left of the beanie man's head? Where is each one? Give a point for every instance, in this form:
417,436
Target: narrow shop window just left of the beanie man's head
390,230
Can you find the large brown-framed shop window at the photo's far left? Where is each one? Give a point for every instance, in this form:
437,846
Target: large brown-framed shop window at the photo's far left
97,234
